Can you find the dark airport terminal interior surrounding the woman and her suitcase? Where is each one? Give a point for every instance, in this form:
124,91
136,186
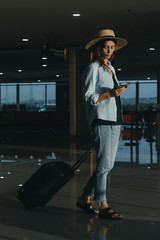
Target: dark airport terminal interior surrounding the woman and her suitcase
43,118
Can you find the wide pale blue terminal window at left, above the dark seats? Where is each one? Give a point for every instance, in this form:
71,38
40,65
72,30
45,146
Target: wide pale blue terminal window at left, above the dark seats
32,97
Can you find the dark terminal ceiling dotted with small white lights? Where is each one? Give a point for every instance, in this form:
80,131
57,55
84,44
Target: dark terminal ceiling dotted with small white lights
50,23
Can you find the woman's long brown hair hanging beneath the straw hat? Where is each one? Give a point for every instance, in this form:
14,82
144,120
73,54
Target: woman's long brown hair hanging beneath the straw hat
97,52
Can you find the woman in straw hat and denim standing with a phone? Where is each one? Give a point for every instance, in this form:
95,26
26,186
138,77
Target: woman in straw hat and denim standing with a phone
103,107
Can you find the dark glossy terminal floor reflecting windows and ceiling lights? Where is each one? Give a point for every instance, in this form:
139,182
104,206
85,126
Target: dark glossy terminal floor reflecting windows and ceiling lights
133,188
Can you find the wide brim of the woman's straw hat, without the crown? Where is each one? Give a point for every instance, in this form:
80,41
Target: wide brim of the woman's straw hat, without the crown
120,42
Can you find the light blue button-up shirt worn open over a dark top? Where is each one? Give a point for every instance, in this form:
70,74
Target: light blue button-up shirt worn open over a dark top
98,79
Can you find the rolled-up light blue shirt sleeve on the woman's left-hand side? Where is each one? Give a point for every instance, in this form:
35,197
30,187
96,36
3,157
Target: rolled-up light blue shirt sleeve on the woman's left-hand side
89,81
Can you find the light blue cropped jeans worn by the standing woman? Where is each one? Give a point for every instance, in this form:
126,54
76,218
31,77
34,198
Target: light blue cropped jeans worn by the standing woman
106,139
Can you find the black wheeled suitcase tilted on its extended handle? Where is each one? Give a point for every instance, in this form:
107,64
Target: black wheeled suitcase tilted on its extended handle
47,181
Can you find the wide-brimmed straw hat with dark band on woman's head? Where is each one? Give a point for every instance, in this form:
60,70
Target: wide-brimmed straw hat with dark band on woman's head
107,34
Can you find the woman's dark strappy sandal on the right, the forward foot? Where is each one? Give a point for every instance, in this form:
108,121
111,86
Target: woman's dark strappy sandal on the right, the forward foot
110,214
